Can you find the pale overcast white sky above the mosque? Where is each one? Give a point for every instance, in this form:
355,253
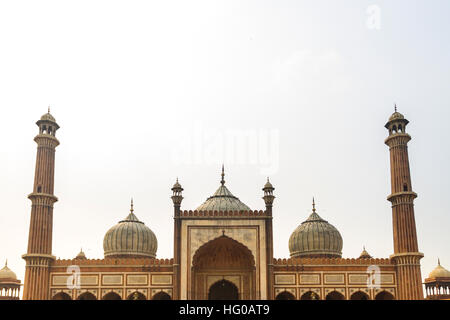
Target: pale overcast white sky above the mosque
146,92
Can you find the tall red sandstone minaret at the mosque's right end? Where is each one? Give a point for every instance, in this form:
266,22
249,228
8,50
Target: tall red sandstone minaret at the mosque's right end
406,253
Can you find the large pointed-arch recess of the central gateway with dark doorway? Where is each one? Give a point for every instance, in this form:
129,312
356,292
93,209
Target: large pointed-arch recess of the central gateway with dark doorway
223,268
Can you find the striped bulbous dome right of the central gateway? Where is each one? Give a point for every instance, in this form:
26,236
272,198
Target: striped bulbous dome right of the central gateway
315,237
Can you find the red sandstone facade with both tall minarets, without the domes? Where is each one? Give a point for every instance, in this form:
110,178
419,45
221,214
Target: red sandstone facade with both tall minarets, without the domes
233,248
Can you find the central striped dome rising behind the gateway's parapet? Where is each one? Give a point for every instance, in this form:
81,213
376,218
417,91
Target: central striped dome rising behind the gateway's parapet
223,200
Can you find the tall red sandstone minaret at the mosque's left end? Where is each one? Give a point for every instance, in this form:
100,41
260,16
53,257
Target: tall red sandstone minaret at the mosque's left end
39,254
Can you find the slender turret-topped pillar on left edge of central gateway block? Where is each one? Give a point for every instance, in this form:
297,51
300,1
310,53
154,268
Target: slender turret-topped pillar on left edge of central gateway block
177,197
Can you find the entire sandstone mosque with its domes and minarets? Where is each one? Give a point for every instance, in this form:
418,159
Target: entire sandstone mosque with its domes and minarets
223,249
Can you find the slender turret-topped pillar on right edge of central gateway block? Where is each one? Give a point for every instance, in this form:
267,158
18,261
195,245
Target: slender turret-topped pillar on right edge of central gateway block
268,199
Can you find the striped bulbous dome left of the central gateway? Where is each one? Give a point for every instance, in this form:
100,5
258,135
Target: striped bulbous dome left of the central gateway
130,238
